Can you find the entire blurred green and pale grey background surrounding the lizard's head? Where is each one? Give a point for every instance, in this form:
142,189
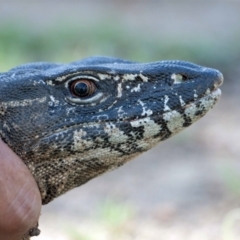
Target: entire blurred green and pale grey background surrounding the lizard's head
187,187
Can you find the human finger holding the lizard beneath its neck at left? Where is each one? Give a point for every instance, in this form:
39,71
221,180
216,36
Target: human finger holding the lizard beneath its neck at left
20,199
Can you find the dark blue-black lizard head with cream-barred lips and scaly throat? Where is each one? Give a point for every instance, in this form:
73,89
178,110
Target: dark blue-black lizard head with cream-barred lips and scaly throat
72,122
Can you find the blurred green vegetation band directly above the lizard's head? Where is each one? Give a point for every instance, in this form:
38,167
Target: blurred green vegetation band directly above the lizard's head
63,44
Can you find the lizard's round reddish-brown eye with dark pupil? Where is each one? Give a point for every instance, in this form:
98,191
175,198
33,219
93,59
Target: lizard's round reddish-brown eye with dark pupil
82,88
